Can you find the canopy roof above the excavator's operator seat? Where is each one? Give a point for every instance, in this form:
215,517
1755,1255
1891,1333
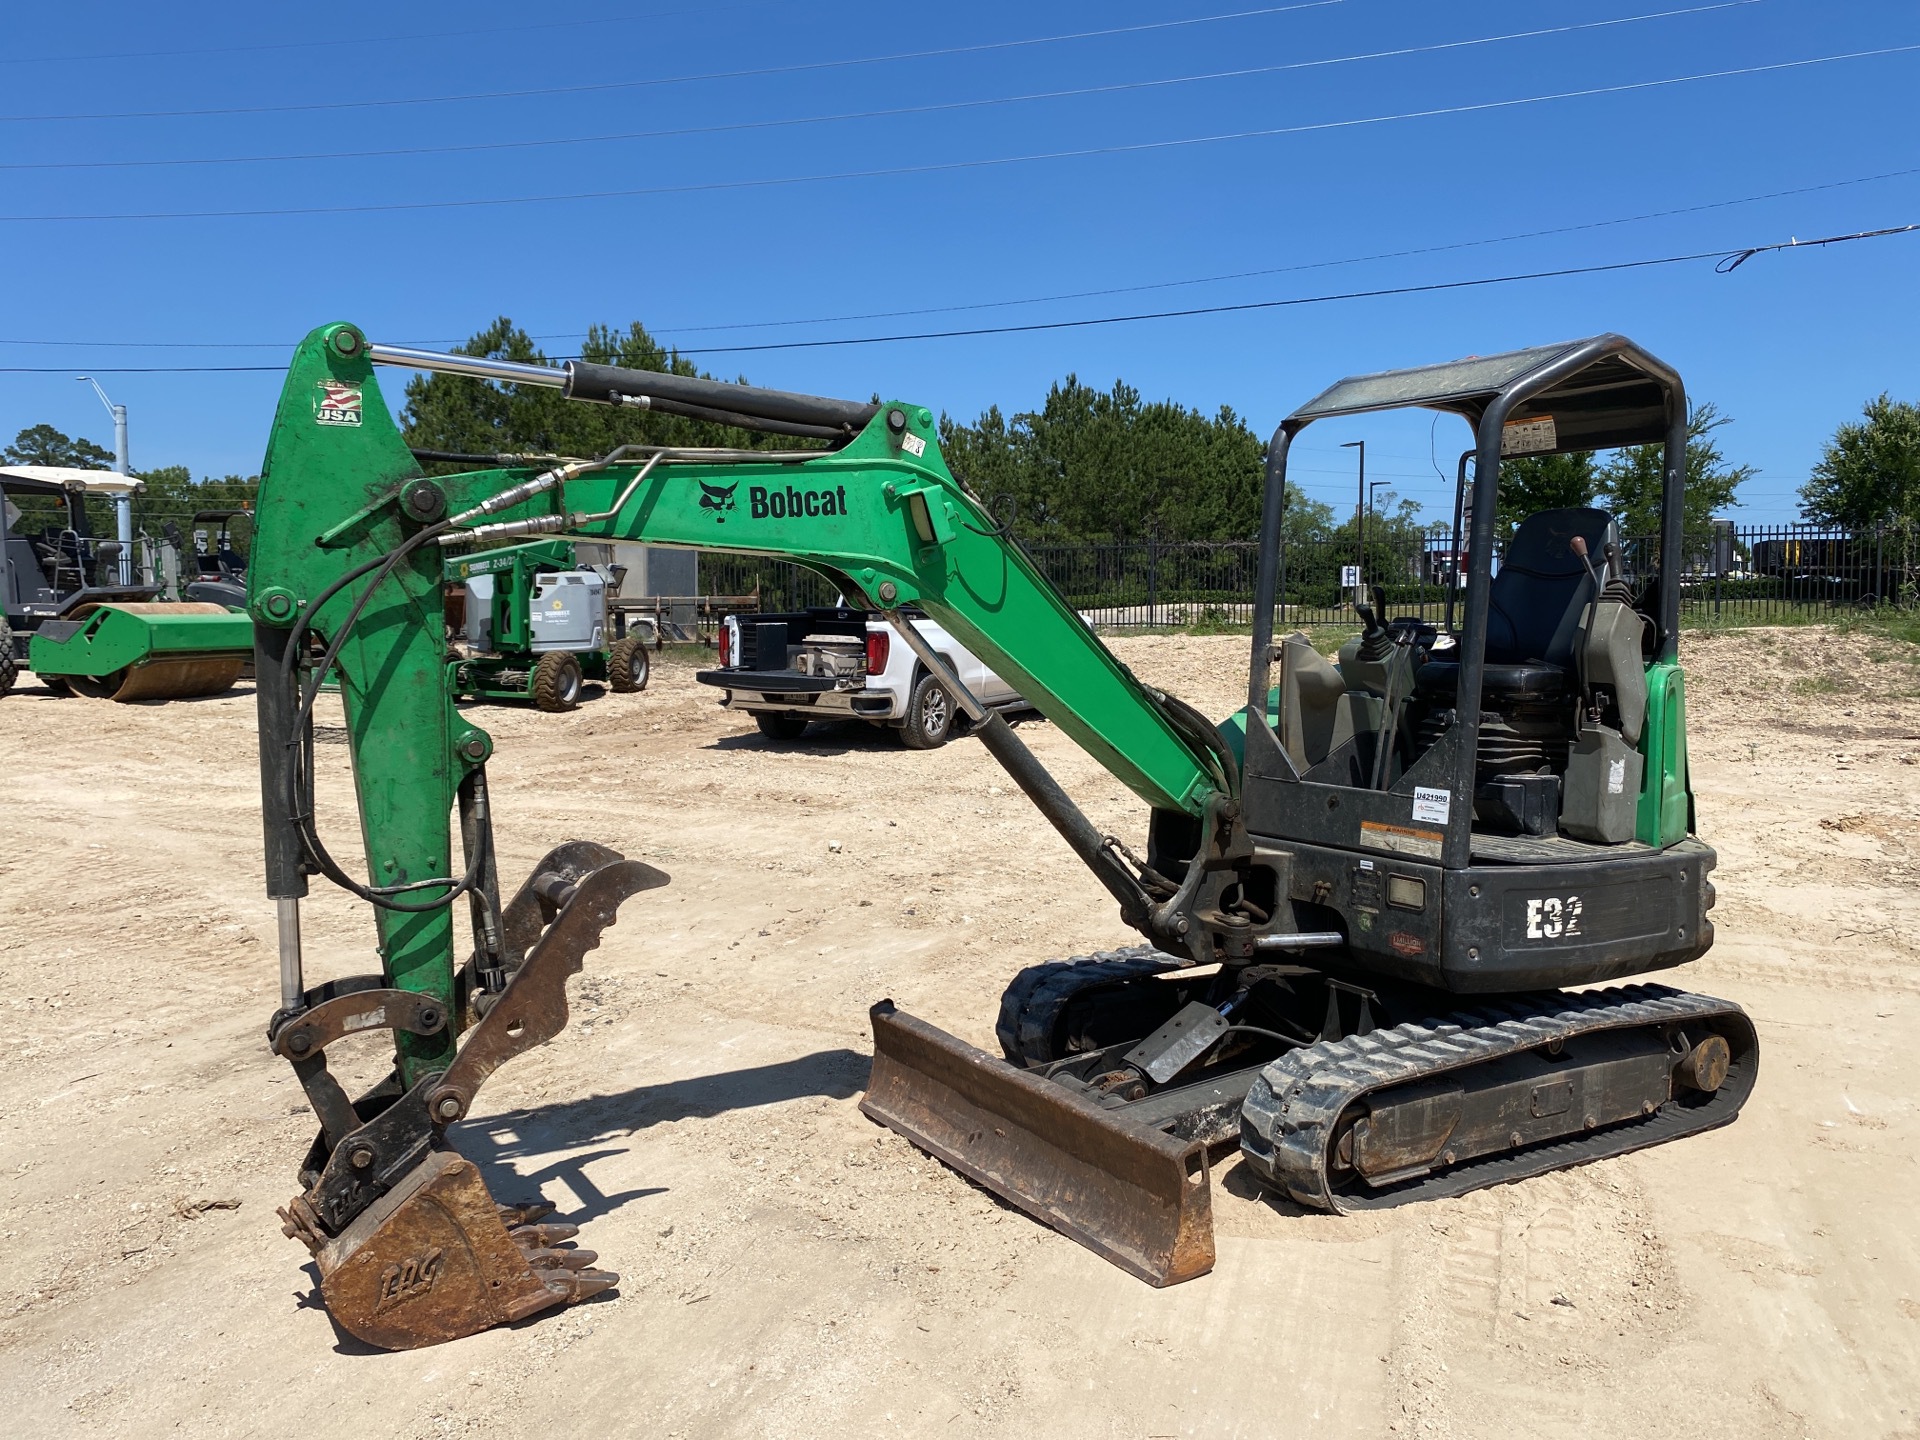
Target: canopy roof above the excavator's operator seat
1598,393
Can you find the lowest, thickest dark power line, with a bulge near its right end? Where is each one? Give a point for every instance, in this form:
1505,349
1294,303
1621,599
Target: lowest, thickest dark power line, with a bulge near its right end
1435,287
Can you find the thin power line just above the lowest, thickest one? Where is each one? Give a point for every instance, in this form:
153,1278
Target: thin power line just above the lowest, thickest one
1067,295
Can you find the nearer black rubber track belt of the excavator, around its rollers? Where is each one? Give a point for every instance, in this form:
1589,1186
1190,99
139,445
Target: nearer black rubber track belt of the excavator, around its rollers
1289,1118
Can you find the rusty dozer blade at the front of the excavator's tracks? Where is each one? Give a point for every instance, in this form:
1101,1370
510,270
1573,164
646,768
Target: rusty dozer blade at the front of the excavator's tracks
1128,1193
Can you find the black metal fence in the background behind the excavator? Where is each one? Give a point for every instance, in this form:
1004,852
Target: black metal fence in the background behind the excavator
1735,575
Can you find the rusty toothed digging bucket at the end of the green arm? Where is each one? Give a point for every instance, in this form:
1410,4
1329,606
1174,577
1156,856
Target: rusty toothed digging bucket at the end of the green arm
435,1260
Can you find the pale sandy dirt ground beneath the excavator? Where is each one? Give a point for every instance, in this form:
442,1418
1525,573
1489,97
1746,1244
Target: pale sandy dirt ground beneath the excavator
792,1270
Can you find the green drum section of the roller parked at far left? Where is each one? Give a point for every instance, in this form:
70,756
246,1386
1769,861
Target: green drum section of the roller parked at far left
145,650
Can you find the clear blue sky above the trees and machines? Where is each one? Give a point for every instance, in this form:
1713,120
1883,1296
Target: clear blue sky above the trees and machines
1788,347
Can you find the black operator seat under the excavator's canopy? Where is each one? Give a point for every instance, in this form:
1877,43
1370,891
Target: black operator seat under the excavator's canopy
1533,617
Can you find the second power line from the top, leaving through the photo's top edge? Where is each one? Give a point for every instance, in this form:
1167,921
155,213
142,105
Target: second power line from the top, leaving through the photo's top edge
898,112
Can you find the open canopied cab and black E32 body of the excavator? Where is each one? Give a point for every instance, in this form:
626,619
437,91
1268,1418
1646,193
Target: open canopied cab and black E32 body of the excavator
1406,861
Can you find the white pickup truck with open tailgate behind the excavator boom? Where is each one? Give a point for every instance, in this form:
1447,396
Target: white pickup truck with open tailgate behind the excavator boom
821,665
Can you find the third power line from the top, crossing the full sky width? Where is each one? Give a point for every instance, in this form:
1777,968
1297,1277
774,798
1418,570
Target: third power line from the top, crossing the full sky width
951,166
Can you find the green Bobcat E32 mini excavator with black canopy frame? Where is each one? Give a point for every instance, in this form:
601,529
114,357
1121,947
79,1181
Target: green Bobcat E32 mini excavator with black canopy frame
1360,900
